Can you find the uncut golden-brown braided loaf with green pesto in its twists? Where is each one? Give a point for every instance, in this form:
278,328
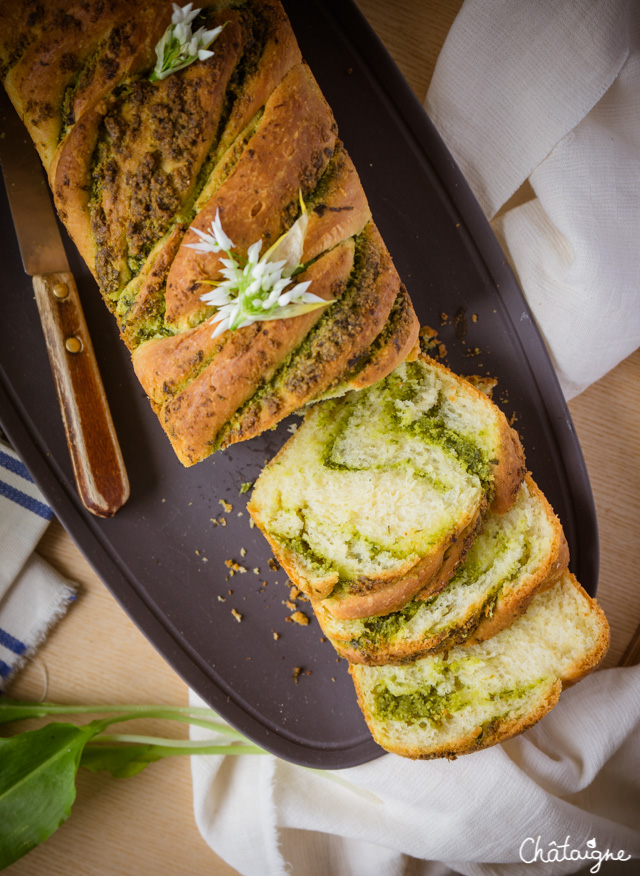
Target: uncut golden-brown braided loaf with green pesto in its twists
135,166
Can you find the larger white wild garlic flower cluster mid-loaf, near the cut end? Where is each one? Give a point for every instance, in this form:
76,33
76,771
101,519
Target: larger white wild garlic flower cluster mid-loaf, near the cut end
253,289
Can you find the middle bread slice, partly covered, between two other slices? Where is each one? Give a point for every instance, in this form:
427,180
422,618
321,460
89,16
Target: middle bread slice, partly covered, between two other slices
515,555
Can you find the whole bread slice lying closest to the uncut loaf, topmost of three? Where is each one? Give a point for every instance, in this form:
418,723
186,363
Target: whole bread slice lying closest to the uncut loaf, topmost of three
363,503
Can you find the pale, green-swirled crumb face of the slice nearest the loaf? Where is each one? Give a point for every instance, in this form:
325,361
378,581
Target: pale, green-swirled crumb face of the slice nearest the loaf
409,482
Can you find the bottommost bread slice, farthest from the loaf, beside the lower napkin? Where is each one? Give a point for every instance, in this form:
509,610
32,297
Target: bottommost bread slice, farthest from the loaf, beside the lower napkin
470,698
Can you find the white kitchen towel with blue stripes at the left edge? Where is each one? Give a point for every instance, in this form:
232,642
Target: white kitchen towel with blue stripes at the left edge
33,596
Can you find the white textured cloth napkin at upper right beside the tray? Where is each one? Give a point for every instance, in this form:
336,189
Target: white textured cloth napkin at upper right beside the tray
550,92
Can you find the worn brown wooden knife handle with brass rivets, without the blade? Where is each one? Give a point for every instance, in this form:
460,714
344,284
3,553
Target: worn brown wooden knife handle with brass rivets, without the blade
101,477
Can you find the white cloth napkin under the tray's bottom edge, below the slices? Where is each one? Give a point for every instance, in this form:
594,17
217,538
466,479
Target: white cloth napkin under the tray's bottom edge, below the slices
575,775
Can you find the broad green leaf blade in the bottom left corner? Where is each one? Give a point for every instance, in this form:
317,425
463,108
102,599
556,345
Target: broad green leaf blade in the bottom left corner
37,784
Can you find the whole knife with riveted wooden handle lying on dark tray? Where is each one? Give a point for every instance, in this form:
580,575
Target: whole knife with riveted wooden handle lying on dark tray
98,466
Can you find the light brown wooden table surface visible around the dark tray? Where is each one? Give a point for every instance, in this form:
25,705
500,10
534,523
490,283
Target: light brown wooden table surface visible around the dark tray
144,825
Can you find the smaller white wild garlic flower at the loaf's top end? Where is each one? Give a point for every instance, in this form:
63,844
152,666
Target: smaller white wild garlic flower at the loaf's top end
178,47
